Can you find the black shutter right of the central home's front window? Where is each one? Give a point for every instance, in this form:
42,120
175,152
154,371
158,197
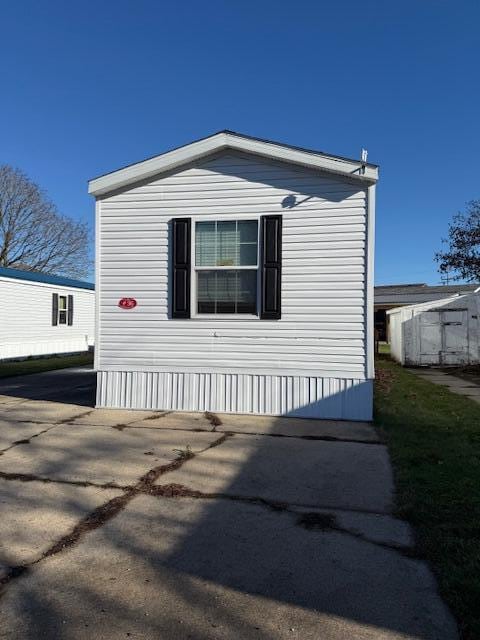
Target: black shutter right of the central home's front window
271,238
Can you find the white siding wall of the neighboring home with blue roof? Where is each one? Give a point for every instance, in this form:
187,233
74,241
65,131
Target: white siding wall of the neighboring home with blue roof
26,320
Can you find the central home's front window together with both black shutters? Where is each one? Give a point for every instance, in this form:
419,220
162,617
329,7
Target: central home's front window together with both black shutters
233,267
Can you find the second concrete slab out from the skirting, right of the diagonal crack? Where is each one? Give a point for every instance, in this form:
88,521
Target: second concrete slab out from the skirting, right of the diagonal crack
334,474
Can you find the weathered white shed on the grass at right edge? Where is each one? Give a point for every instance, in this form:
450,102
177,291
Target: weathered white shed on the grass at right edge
441,332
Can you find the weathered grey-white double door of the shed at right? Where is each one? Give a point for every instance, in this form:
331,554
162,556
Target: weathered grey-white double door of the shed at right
444,337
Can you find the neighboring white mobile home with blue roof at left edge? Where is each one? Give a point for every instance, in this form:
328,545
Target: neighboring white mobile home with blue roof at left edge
43,315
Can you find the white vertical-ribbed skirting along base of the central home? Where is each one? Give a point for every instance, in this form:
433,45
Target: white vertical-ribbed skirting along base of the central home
308,397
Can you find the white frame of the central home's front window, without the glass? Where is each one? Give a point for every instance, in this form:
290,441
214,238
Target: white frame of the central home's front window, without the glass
193,270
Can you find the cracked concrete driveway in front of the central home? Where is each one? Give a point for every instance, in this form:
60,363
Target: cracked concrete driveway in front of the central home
129,524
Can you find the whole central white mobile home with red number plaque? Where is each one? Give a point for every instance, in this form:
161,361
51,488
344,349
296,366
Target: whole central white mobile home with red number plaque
236,275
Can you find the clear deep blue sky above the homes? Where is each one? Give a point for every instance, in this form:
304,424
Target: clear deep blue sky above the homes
87,87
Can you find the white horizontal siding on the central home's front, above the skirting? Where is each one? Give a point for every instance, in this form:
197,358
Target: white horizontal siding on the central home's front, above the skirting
322,331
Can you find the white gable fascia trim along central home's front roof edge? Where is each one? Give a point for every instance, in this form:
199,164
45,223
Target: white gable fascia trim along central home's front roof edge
195,150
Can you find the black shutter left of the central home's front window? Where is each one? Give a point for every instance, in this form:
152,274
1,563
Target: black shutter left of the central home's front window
181,267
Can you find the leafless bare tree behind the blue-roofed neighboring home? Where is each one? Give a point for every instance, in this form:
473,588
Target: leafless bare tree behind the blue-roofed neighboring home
34,236
